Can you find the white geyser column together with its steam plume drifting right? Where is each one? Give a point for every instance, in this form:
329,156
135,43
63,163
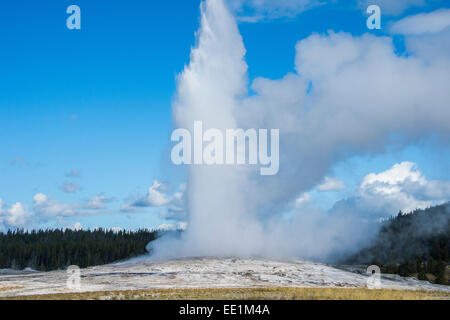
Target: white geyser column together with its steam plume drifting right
349,96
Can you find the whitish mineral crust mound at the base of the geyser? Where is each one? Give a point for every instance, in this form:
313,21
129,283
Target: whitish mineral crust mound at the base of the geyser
143,273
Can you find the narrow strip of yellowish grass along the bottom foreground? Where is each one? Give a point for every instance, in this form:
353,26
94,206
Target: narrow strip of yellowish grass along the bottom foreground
248,294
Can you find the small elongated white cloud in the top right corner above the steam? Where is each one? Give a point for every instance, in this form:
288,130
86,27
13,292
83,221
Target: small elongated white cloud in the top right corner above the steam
423,23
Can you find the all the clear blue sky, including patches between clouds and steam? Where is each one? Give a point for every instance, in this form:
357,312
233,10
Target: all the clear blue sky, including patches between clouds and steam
98,99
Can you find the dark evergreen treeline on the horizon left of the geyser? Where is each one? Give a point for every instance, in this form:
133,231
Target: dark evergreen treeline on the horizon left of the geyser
46,250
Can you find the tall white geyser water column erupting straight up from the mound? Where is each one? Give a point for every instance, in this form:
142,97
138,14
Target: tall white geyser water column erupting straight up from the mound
220,220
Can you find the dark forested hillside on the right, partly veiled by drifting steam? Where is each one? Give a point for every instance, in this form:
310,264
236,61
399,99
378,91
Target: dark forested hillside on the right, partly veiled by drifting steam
415,244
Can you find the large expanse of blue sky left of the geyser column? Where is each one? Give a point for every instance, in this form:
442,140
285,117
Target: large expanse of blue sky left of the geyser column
97,99
